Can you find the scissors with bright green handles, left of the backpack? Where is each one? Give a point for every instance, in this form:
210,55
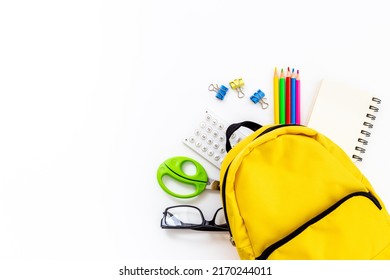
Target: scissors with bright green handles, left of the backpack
173,167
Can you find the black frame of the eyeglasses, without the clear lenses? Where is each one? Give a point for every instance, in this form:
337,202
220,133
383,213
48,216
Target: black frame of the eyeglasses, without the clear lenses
204,226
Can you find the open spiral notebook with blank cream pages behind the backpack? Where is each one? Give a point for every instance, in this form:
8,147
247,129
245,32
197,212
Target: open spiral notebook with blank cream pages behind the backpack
346,115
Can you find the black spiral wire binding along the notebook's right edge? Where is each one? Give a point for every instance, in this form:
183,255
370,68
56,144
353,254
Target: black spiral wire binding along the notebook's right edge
367,126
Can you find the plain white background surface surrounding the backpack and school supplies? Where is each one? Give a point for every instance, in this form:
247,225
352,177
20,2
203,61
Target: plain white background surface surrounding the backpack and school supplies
94,95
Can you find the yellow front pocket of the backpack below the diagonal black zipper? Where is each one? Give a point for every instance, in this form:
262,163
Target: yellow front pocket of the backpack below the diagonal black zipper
350,229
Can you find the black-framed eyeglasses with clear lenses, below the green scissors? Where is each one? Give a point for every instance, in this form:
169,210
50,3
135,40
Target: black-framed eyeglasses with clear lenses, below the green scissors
191,217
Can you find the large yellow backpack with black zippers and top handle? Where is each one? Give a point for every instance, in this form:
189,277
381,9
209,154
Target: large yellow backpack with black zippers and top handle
289,192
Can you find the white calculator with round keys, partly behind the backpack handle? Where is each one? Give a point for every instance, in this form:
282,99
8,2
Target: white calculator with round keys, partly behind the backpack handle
208,138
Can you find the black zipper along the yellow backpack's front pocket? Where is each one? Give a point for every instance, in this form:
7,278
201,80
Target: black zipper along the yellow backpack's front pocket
269,250
